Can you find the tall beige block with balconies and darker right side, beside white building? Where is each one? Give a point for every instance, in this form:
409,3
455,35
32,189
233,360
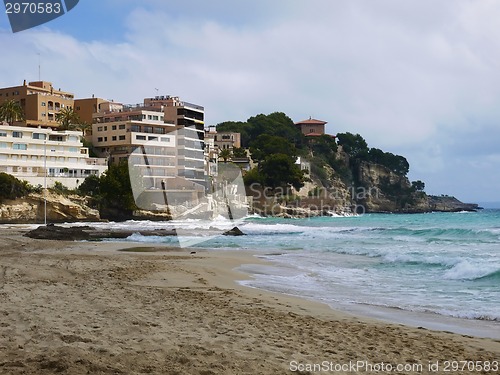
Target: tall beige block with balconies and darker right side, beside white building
165,131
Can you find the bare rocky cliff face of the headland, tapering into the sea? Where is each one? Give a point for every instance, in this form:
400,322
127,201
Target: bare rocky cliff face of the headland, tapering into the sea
366,188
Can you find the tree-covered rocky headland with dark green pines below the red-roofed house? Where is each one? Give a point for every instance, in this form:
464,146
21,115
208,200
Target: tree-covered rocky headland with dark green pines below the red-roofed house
344,162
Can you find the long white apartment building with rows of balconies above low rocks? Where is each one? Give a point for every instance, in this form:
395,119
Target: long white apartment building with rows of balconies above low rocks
43,156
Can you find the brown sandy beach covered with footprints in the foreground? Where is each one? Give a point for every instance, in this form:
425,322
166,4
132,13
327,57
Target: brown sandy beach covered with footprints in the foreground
87,308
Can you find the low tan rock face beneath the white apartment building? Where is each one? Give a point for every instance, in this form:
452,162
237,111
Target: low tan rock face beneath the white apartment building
31,209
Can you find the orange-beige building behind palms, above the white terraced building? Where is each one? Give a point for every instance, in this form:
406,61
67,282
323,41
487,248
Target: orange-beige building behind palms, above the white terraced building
40,102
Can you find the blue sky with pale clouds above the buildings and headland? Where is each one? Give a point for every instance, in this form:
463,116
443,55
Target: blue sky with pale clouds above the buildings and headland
418,78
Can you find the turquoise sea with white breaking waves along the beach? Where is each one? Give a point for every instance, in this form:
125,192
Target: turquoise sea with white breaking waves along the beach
435,270
